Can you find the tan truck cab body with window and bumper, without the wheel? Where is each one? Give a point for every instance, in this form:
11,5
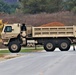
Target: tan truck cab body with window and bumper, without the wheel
10,31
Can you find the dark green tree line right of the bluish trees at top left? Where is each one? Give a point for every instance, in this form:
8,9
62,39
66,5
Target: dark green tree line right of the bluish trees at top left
48,6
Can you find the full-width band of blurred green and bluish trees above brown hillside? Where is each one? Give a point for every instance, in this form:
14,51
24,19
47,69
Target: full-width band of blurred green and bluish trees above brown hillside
39,6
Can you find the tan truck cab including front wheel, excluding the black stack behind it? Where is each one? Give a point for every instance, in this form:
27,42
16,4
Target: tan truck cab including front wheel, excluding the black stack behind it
10,37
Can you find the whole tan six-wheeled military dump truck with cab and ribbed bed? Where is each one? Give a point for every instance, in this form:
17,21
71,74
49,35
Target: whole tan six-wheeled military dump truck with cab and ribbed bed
15,36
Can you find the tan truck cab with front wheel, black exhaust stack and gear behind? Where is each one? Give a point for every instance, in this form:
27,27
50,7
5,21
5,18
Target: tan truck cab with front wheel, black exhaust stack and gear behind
15,35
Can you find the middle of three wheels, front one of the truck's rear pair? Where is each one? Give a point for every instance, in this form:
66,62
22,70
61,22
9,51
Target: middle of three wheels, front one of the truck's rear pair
49,46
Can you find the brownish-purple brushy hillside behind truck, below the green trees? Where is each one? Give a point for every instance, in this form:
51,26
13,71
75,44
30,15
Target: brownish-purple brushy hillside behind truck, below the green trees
67,18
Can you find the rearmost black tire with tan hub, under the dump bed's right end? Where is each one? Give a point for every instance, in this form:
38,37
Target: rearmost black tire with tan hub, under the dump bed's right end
64,45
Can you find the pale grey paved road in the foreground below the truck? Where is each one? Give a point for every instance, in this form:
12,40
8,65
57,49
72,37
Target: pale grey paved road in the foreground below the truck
41,63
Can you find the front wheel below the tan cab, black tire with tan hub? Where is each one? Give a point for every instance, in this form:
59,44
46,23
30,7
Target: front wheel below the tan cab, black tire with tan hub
14,47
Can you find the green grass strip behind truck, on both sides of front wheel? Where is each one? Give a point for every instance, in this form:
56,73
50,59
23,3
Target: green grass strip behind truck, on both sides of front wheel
27,49
